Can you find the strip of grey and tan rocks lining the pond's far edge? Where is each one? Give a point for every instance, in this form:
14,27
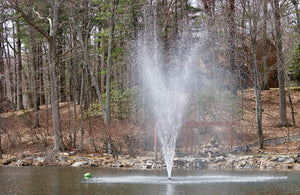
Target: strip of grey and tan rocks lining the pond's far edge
229,162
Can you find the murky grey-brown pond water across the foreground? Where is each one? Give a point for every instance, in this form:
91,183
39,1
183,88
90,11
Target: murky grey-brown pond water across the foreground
70,180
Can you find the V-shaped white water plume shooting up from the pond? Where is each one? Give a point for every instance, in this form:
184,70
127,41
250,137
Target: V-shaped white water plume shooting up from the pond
164,83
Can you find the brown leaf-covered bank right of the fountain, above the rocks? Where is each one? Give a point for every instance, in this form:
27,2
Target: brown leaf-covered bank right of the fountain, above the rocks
278,140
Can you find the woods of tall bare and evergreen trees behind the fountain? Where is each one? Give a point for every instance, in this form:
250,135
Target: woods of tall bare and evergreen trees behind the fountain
81,51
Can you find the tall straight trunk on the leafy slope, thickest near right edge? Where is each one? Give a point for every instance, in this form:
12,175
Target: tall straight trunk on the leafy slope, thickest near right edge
280,63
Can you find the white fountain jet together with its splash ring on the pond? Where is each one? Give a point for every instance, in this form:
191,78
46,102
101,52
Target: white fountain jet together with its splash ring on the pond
165,83
